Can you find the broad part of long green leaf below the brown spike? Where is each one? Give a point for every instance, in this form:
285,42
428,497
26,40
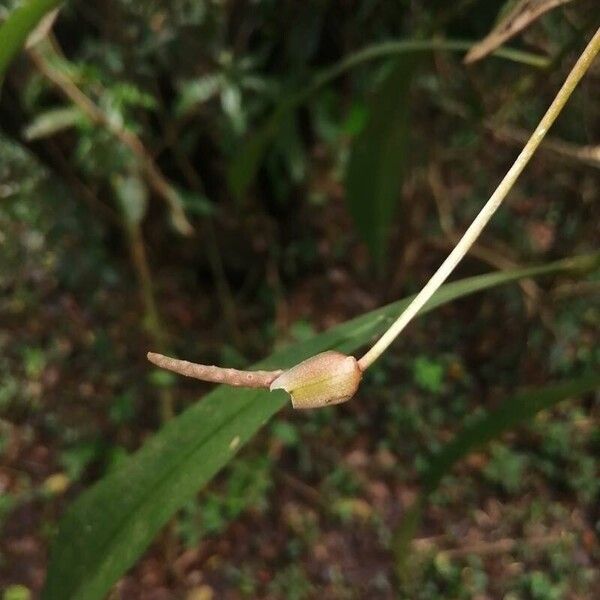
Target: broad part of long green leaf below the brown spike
121,516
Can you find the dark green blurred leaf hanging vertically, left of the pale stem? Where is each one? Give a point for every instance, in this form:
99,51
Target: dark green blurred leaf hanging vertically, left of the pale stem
377,160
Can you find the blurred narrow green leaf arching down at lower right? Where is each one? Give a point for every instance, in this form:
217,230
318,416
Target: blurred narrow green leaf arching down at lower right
484,428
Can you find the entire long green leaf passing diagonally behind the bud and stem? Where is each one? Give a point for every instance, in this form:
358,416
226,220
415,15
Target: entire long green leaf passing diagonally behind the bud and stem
112,523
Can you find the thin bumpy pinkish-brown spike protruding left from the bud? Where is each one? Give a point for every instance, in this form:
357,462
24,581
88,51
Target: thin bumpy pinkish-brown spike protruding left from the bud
253,379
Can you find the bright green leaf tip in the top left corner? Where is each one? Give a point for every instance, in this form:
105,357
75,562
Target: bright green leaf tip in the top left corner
20,23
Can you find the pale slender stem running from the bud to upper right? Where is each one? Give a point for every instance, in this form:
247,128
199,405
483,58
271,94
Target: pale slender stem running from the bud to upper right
486,213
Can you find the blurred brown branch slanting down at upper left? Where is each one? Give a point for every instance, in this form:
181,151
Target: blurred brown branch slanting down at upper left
154,176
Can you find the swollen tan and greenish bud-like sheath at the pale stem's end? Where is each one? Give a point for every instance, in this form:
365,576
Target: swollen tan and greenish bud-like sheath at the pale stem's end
327,378
